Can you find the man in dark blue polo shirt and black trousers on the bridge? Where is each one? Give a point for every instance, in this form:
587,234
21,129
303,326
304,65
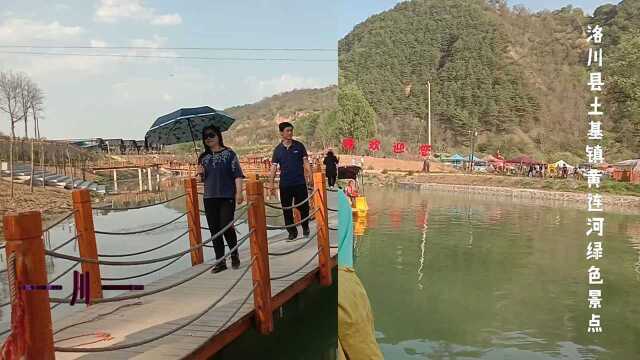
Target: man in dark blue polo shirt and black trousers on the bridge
291,156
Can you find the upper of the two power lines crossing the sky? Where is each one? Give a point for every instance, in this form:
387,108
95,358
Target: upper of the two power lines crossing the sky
164,48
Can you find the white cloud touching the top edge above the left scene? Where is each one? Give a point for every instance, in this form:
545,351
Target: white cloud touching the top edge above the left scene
111,11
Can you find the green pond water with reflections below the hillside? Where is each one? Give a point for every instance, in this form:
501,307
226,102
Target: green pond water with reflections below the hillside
456,276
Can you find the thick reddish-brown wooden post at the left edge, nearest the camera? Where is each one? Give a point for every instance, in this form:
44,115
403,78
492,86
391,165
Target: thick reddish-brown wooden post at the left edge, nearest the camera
23,234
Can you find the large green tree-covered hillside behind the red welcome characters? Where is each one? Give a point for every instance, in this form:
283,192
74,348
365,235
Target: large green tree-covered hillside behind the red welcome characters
518,78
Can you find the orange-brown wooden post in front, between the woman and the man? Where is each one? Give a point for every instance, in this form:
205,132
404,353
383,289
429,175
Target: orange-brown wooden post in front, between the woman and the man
260,253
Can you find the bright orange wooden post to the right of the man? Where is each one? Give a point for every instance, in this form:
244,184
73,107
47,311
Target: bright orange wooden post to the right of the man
322,224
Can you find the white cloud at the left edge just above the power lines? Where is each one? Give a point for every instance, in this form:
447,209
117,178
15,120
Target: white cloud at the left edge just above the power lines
17,30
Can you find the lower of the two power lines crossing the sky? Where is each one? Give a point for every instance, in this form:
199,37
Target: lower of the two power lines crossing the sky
35,53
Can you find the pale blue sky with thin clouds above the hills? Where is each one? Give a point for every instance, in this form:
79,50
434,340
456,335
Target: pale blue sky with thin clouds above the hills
121,97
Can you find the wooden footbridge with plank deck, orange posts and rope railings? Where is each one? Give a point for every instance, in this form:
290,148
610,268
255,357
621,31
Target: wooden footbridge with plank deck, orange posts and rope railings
190,314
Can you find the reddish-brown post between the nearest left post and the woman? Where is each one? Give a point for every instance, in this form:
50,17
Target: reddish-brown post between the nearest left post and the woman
83,216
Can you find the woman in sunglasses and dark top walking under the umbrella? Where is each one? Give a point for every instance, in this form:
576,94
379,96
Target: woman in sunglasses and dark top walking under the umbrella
219,169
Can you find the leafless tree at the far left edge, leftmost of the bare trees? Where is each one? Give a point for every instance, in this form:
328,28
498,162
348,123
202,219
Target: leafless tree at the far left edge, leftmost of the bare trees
10,104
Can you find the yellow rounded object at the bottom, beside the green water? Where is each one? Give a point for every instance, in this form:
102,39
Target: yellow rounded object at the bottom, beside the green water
356,336
